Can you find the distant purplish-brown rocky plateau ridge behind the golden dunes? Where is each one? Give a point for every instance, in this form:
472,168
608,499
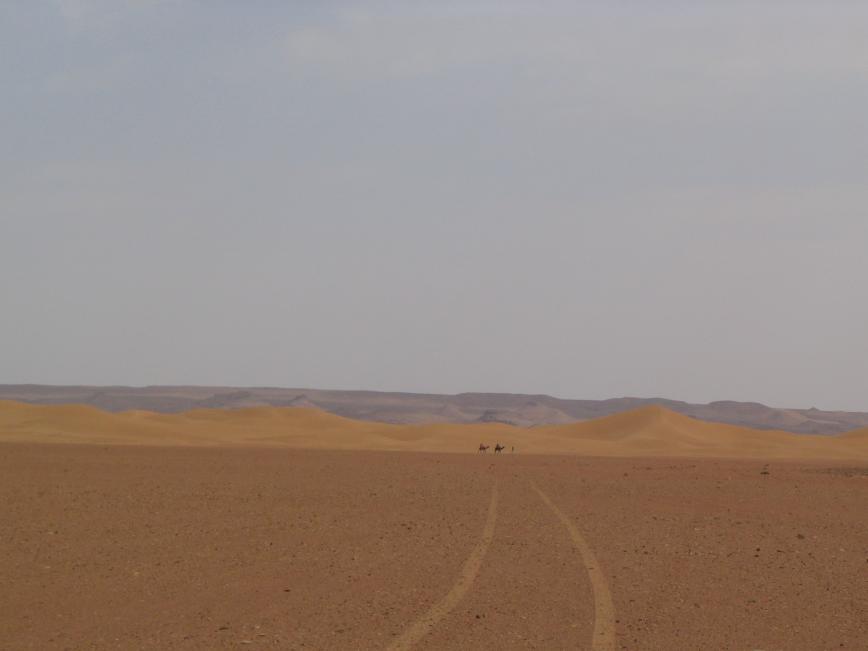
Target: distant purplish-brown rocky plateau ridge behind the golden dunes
524,410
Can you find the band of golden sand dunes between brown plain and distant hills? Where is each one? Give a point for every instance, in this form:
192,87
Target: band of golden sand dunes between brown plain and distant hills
650,431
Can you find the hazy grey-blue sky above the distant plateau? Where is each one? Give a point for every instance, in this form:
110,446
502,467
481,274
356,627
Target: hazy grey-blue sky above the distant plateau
585,199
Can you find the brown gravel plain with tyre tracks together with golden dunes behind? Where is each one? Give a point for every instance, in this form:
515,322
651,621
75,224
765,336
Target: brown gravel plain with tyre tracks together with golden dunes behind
297,529
